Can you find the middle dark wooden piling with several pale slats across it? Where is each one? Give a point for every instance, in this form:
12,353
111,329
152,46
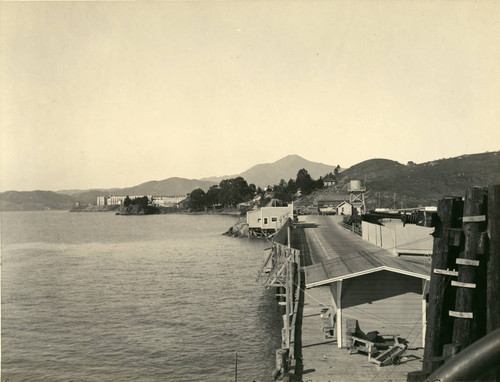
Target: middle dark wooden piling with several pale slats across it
468,298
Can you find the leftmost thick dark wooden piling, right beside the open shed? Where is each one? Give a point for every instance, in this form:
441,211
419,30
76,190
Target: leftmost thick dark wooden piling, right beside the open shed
439,329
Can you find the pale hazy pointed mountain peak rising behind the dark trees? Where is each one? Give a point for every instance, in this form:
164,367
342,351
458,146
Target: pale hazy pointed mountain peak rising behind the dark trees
286,168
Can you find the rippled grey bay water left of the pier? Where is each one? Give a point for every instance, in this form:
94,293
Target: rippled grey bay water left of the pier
99,297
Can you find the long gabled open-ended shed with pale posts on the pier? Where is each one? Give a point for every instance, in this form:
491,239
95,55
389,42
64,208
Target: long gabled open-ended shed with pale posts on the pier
382,292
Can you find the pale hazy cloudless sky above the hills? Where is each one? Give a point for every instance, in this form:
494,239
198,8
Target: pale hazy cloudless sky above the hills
113,94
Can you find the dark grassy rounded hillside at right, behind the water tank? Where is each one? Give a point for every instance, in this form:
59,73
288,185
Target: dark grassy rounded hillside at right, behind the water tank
390,183
